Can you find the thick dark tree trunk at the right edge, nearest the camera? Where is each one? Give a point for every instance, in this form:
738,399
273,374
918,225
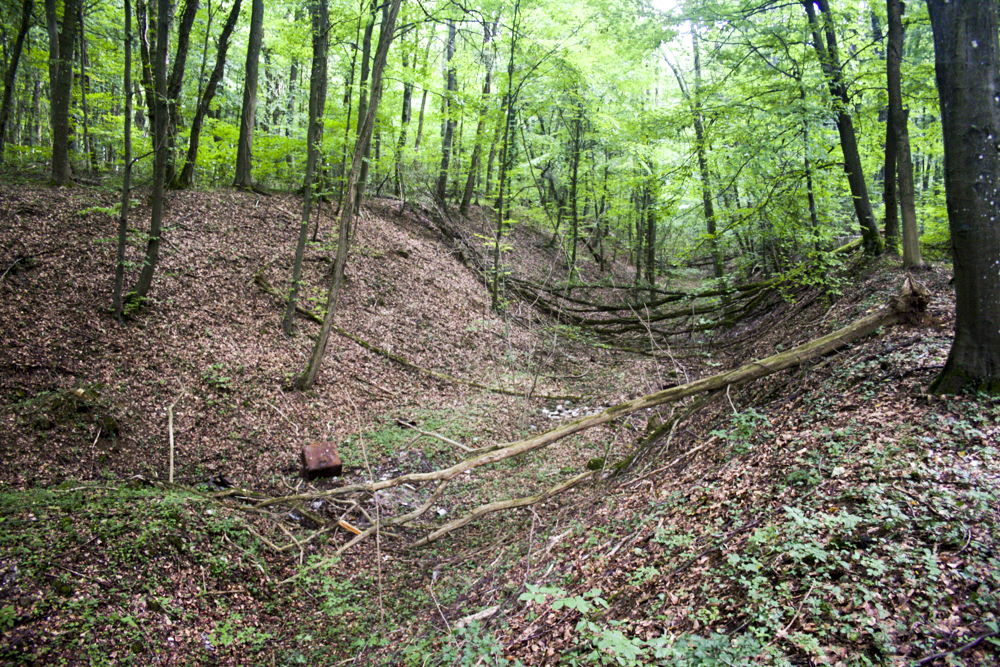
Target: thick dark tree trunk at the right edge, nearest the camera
967,68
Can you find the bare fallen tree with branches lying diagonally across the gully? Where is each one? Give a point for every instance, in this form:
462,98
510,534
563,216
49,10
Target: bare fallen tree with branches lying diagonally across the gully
909,306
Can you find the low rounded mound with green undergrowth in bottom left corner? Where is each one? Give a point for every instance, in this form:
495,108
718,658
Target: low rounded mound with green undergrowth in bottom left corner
103,575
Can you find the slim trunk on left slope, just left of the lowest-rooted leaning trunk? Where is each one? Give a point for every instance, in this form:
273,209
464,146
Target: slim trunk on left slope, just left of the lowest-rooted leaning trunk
317,102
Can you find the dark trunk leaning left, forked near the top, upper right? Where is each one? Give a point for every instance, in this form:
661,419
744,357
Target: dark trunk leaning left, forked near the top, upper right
830,61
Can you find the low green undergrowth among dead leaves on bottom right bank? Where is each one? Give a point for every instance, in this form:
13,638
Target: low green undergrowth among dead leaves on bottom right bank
876,545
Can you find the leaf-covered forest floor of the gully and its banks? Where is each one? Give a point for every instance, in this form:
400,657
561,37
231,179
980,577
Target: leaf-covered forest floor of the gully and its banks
832,514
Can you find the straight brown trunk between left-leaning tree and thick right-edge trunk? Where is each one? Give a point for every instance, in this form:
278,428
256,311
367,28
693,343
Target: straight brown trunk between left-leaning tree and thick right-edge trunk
904,164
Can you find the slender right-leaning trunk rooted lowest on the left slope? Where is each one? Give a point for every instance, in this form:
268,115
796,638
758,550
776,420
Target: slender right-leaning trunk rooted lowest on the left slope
308,377
